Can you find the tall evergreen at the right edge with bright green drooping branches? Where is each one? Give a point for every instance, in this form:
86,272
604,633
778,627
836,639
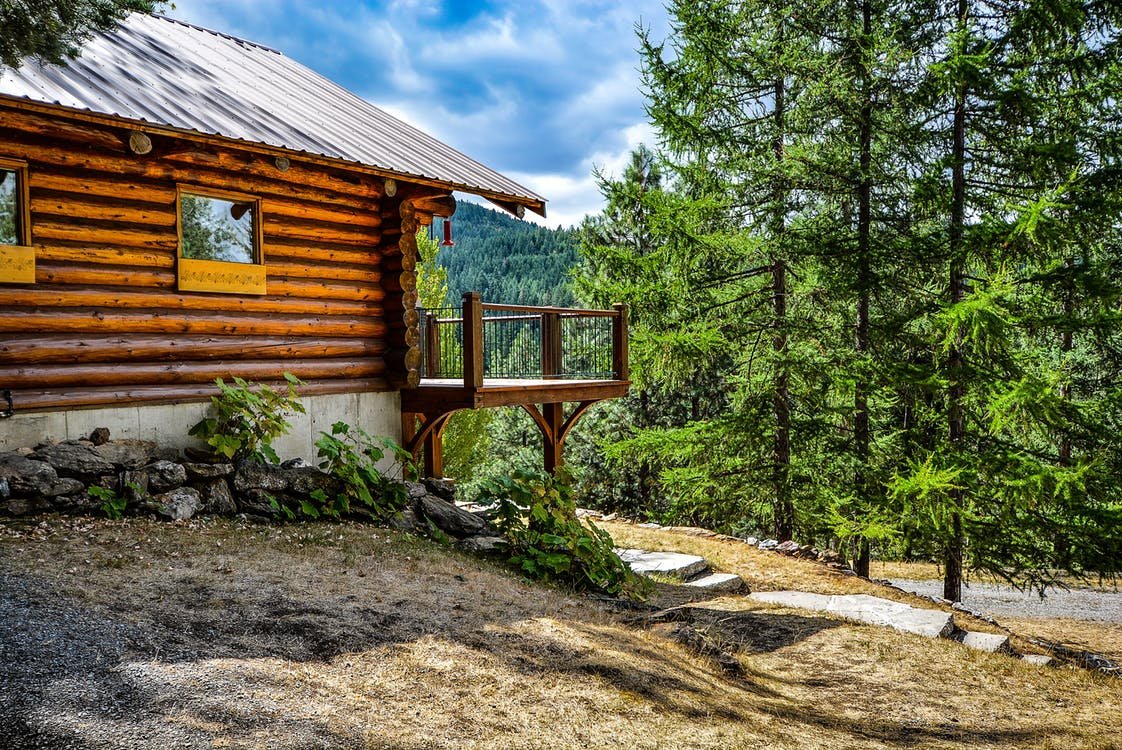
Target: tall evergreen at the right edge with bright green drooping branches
1024,117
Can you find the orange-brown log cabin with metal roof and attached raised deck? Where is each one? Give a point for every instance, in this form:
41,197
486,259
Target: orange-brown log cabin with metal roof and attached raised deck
178,205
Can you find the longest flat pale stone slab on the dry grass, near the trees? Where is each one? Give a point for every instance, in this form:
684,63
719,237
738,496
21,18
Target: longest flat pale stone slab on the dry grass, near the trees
871,610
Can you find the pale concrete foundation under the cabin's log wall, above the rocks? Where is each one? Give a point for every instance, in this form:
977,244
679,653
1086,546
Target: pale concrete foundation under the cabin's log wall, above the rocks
378,414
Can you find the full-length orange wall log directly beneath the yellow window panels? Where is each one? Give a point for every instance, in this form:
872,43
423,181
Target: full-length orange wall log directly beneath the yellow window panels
169,301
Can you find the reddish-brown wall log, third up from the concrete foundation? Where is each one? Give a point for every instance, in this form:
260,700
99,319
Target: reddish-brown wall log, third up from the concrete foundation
69,350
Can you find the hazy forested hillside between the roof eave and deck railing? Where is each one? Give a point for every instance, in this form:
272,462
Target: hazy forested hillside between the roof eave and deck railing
507,260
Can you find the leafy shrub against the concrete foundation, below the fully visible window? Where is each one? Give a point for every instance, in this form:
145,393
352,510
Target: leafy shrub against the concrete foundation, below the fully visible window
249,417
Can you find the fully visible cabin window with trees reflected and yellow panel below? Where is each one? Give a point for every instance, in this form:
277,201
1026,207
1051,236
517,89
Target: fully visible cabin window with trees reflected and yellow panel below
220,243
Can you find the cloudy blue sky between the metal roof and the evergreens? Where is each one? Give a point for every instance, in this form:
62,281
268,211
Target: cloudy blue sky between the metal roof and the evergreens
540,90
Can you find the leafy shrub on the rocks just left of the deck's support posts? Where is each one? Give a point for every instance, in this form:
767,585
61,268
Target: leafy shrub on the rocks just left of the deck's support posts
351,455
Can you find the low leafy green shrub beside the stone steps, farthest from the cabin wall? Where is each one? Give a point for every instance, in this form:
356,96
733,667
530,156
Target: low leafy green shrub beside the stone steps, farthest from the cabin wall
549,543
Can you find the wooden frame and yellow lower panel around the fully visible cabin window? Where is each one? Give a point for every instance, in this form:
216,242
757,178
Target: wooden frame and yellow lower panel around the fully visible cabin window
220,277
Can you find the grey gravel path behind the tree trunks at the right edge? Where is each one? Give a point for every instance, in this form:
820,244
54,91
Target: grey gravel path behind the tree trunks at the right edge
999,601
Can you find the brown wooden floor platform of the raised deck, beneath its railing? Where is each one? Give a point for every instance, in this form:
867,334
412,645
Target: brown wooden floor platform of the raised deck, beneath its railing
440,395
